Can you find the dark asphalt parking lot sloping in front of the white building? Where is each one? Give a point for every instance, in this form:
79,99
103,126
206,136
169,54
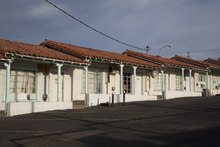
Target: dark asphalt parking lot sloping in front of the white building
178,122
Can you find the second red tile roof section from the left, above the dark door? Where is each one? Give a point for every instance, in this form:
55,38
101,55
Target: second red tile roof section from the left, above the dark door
97,55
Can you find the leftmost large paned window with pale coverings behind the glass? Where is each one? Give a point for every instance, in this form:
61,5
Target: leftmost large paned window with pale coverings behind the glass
22,82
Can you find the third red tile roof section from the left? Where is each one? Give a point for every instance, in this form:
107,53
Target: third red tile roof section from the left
160,60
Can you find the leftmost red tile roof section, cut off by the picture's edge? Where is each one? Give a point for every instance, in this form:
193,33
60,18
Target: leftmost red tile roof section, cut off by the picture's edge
35,51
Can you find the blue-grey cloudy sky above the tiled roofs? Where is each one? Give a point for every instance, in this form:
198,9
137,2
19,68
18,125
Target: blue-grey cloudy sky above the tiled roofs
188,26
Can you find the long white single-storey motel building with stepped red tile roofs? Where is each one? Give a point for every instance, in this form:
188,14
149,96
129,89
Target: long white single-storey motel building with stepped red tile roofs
57,76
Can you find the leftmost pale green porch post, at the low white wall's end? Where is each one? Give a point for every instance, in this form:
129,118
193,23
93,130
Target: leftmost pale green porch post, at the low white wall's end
7,85
